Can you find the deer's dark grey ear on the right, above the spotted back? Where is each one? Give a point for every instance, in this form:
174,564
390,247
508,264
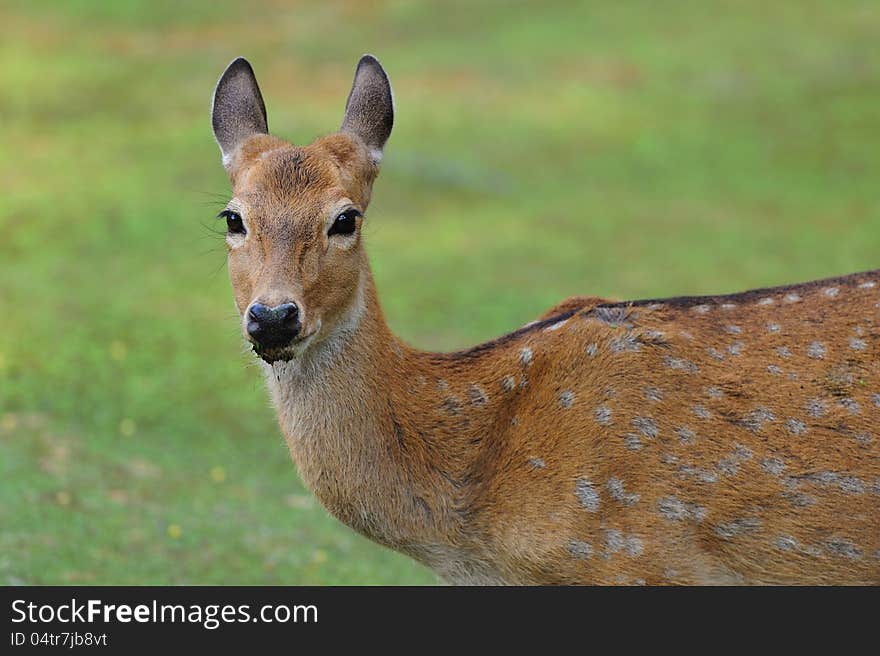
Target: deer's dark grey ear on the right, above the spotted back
369,111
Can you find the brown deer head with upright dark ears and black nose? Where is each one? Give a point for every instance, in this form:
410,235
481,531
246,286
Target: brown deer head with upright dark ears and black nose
296,258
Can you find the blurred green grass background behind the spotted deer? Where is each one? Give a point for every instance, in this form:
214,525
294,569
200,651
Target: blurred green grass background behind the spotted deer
541,149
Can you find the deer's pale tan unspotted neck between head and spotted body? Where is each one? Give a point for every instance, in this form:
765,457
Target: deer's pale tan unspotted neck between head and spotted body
354,435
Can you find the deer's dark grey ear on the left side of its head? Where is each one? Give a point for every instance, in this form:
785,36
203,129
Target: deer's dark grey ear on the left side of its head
238,111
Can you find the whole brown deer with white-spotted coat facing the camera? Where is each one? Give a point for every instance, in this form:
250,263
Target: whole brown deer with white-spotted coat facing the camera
697,440
